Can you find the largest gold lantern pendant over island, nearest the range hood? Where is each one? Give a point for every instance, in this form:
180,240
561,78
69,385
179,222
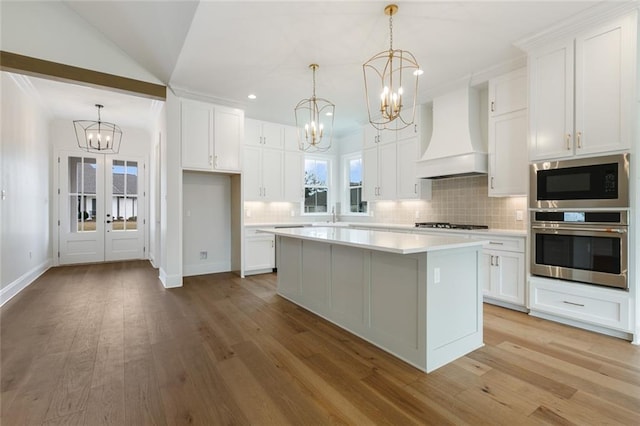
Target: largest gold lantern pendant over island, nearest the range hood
390,77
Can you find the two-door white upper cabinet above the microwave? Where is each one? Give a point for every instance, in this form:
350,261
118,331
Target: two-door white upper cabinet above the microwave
581,92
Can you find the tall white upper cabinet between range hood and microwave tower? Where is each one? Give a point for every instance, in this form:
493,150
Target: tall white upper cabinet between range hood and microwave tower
508,171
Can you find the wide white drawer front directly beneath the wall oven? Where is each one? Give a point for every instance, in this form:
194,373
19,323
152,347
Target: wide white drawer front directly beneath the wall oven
602,309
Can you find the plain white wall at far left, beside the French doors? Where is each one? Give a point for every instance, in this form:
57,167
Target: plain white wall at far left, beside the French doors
25,170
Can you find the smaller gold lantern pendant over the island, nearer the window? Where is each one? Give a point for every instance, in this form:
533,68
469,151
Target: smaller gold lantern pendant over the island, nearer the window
314,121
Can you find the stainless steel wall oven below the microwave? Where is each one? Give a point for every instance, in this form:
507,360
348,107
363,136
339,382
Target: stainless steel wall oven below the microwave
584,246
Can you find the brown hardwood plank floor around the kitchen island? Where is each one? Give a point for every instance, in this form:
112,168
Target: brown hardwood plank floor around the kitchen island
106,344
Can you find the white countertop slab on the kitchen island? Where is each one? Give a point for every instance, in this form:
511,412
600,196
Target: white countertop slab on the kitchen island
392,242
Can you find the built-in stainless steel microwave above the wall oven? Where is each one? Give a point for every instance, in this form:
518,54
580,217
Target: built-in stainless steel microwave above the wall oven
580,183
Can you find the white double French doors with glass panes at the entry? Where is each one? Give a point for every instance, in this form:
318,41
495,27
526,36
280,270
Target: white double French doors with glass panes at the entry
101,208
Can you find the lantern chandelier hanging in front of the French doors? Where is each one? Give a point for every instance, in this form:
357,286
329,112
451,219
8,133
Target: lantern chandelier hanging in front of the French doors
98,136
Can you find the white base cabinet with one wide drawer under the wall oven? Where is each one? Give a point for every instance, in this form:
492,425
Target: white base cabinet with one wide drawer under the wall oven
587,304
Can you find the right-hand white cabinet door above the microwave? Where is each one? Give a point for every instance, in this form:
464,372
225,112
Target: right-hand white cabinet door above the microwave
603,89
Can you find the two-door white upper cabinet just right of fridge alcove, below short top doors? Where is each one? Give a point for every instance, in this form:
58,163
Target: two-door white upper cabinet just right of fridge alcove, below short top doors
263,174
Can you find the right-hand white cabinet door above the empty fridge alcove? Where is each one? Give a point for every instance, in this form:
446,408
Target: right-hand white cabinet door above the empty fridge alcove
228,125
